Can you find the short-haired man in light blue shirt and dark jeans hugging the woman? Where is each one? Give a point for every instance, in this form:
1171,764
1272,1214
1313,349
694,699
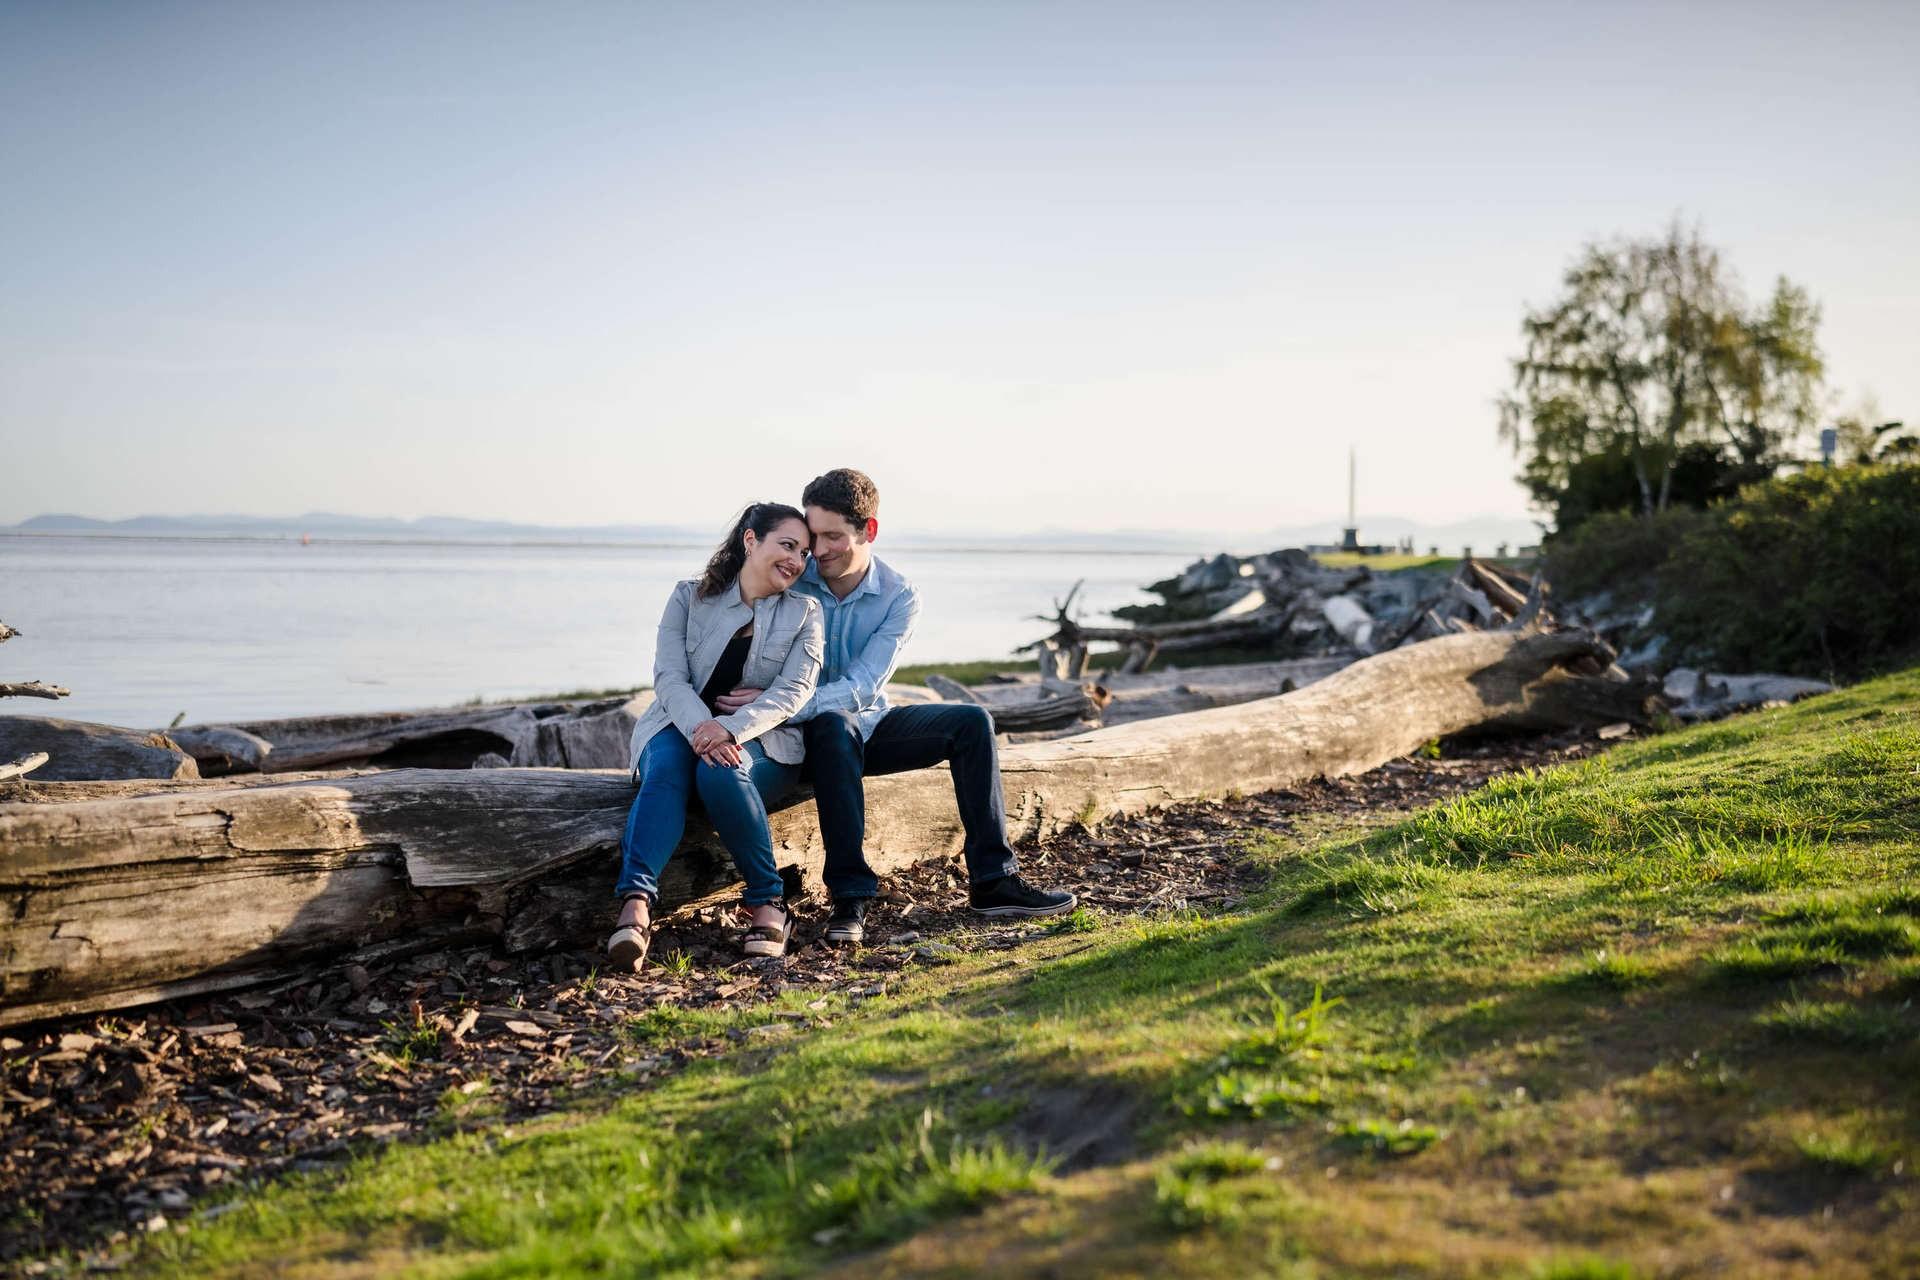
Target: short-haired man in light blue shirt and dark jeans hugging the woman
852,732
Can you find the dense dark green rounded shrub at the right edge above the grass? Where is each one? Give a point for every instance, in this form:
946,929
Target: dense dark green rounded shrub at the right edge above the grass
1813,575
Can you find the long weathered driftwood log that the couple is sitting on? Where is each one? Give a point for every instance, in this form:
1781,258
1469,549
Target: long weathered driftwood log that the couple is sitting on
130,899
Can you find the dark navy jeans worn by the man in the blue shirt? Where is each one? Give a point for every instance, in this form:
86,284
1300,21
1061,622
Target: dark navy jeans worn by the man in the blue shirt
907,738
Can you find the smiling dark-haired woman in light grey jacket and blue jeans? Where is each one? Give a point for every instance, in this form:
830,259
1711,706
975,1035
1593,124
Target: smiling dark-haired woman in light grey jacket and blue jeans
734,627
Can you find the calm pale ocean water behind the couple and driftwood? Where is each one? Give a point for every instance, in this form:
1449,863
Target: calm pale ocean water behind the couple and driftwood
241,630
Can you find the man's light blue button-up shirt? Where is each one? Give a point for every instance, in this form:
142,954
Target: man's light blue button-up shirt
867,634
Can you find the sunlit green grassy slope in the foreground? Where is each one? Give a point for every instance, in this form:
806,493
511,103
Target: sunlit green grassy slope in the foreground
1643,1016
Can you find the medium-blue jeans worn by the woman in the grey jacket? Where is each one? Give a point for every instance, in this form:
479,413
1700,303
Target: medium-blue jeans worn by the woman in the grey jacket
734,801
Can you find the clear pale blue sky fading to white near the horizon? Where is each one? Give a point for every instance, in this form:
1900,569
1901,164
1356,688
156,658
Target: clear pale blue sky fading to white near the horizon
1072,266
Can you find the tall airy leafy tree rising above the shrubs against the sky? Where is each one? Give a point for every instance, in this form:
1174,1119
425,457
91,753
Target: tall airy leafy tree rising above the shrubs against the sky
1652,364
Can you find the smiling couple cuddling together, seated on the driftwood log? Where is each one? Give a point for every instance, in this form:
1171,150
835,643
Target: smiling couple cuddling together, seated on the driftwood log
771,669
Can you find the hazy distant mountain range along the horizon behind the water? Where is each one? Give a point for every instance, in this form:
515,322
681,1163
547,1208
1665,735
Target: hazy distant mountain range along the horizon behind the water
1483,533
